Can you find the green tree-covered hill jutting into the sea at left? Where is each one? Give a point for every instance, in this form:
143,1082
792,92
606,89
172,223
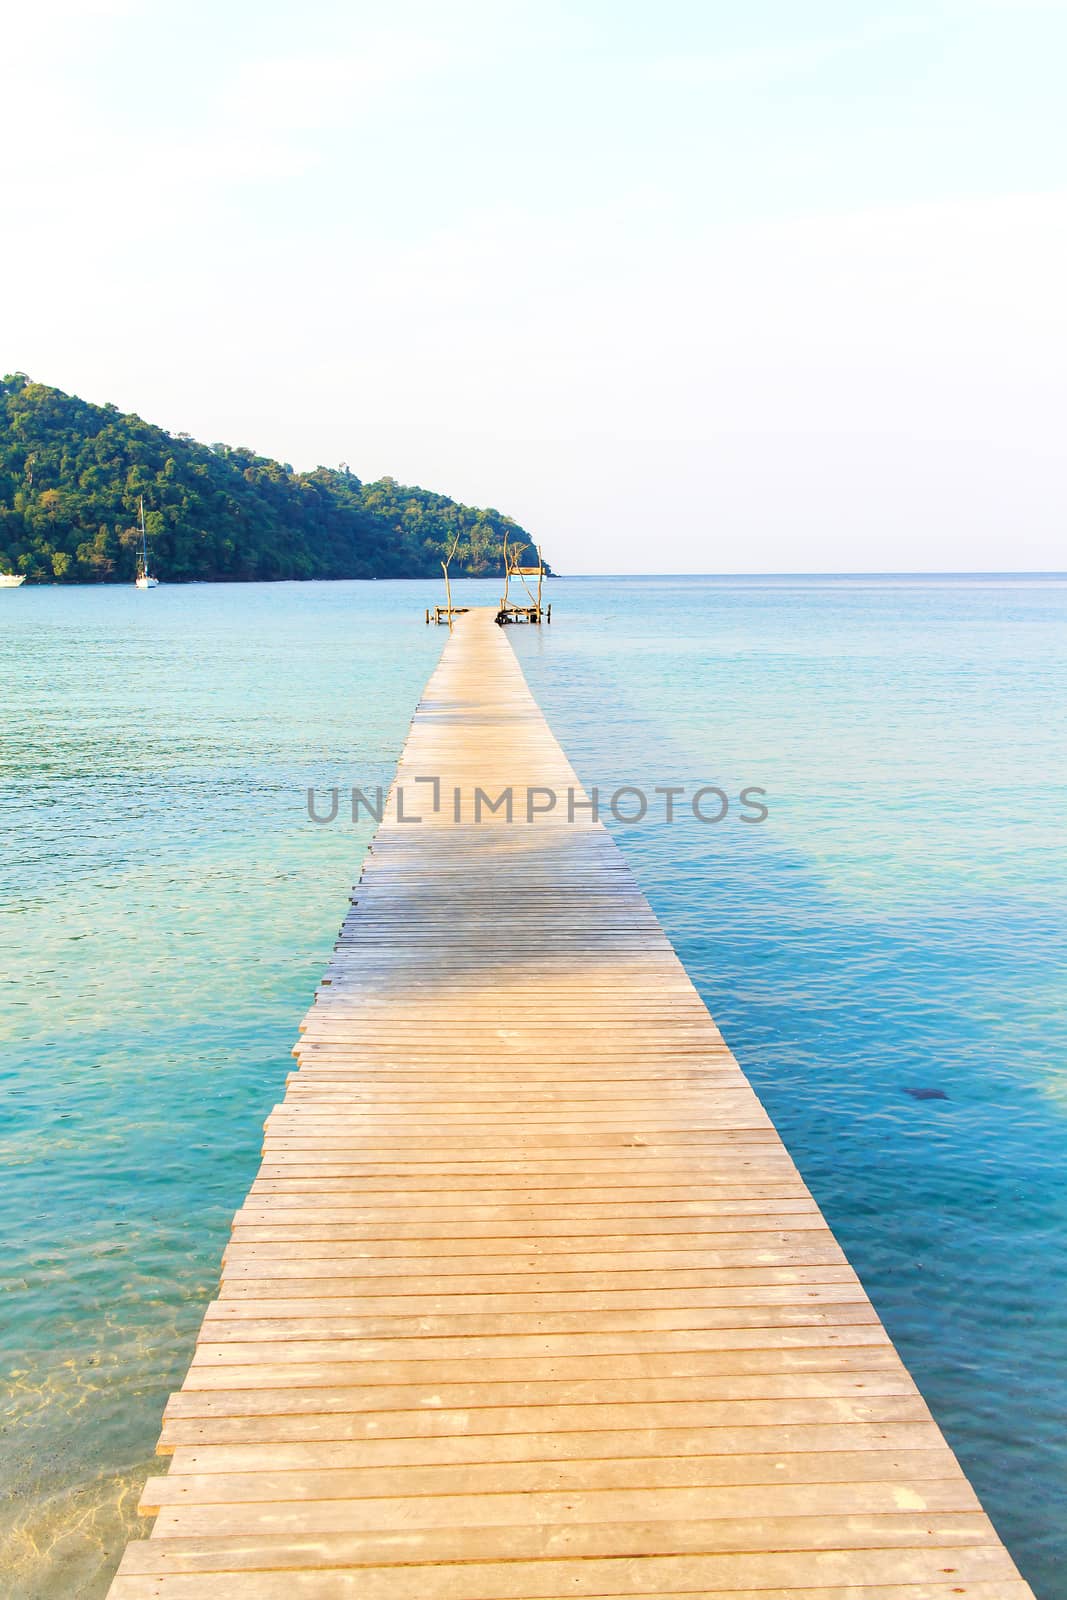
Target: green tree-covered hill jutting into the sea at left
71,478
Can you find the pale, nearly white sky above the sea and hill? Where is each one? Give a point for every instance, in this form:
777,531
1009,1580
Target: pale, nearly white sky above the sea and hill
703,286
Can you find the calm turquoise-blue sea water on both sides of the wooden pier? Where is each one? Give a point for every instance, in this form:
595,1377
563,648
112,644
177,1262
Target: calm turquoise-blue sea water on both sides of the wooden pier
897,924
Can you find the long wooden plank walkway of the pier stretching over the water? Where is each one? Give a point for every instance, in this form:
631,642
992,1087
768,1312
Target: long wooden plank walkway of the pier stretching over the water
529,1300
